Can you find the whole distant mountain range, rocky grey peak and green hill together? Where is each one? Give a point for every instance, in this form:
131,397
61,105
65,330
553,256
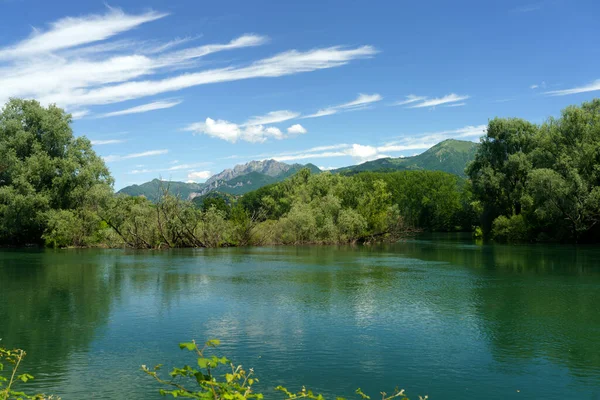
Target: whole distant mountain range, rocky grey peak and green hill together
449,156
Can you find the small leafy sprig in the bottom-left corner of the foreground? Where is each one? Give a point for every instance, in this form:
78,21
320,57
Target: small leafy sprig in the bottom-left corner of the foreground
14,358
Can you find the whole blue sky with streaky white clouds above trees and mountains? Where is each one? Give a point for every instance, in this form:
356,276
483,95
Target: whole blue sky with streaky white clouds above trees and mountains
184,89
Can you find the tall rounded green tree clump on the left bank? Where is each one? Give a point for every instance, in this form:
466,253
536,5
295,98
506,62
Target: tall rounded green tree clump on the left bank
48,178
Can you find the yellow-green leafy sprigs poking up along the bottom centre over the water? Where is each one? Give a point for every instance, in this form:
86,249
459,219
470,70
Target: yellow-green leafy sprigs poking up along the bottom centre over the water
237,383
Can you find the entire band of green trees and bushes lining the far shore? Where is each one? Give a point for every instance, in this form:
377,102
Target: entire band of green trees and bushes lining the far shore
527,183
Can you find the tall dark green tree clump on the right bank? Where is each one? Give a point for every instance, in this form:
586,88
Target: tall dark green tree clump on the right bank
540,183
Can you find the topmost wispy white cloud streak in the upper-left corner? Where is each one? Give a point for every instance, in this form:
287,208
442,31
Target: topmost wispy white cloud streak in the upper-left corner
70,32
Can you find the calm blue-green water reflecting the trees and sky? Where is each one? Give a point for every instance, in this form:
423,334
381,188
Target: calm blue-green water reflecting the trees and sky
442,317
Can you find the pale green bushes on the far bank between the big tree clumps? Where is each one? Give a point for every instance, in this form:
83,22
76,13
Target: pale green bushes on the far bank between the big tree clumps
305,208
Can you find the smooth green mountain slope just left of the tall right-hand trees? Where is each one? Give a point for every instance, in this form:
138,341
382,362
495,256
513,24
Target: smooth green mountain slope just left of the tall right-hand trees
448,156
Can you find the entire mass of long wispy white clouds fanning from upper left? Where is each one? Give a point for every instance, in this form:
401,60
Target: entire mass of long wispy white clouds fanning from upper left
76,62
